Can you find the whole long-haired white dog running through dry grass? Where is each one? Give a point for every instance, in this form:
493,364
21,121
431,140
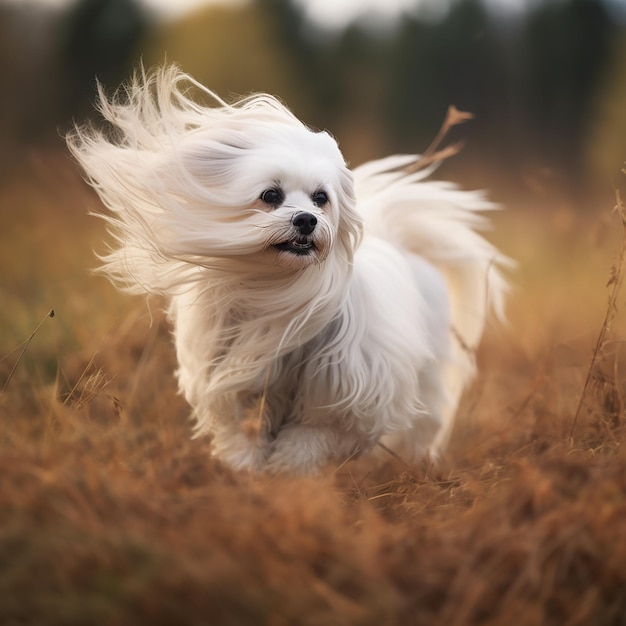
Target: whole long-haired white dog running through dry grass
317,311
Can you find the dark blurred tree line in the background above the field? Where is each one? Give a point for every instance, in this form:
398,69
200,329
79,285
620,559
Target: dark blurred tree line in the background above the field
548,89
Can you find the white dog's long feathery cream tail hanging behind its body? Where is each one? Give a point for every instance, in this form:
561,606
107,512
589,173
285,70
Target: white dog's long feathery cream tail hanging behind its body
439,222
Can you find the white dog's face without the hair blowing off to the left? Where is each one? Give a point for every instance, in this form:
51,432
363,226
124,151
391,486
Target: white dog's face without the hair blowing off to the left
276,195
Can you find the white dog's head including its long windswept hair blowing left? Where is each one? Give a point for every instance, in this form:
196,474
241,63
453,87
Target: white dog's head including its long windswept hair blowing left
243,187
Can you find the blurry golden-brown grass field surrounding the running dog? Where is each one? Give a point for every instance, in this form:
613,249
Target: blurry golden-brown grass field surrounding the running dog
111,514
